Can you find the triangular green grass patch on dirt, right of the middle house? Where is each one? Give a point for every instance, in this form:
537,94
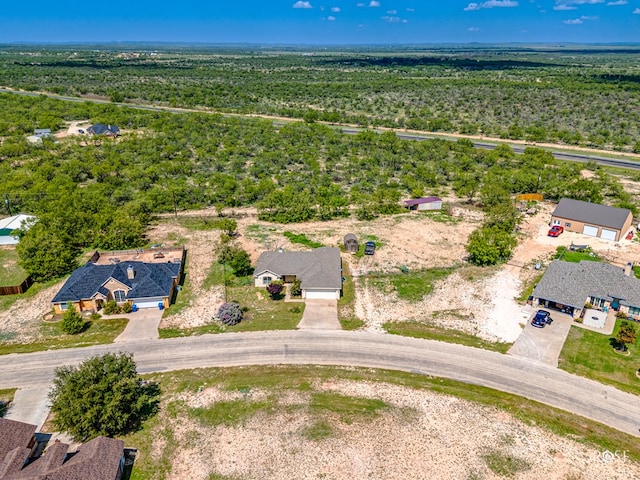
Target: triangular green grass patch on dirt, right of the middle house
412,285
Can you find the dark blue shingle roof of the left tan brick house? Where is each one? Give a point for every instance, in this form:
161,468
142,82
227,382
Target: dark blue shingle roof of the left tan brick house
151,280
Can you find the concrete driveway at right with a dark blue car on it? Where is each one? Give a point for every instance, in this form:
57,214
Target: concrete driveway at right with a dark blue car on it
543,344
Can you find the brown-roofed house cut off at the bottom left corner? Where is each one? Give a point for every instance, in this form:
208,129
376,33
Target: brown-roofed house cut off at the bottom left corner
21,458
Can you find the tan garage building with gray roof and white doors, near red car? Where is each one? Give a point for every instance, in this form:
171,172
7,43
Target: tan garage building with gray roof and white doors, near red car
592,219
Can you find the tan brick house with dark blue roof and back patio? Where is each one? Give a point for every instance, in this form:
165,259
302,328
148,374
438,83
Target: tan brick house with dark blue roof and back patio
144,283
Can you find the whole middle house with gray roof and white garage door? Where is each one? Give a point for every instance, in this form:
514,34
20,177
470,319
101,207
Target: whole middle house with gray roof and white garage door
319,271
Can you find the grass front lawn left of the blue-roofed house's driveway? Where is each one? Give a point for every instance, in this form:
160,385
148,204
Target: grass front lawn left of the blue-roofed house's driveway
99,332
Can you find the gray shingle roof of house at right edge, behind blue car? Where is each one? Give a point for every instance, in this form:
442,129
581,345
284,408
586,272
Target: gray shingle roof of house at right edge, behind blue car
573,283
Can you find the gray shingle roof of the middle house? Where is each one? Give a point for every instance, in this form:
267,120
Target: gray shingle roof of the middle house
319,268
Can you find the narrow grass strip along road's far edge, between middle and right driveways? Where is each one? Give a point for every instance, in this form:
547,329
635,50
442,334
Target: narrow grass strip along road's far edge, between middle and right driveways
431,332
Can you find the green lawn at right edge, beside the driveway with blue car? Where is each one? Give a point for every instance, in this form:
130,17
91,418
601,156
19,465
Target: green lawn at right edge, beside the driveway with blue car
590,354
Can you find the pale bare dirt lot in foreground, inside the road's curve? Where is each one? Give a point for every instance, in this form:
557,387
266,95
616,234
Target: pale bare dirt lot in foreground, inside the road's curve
417,434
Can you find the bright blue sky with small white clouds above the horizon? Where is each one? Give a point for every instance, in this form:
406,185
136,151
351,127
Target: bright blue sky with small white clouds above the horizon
323,21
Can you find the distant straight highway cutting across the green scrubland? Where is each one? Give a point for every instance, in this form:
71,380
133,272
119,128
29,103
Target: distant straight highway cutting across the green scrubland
572,157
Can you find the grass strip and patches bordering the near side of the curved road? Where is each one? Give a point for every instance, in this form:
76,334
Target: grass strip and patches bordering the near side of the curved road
157,441
